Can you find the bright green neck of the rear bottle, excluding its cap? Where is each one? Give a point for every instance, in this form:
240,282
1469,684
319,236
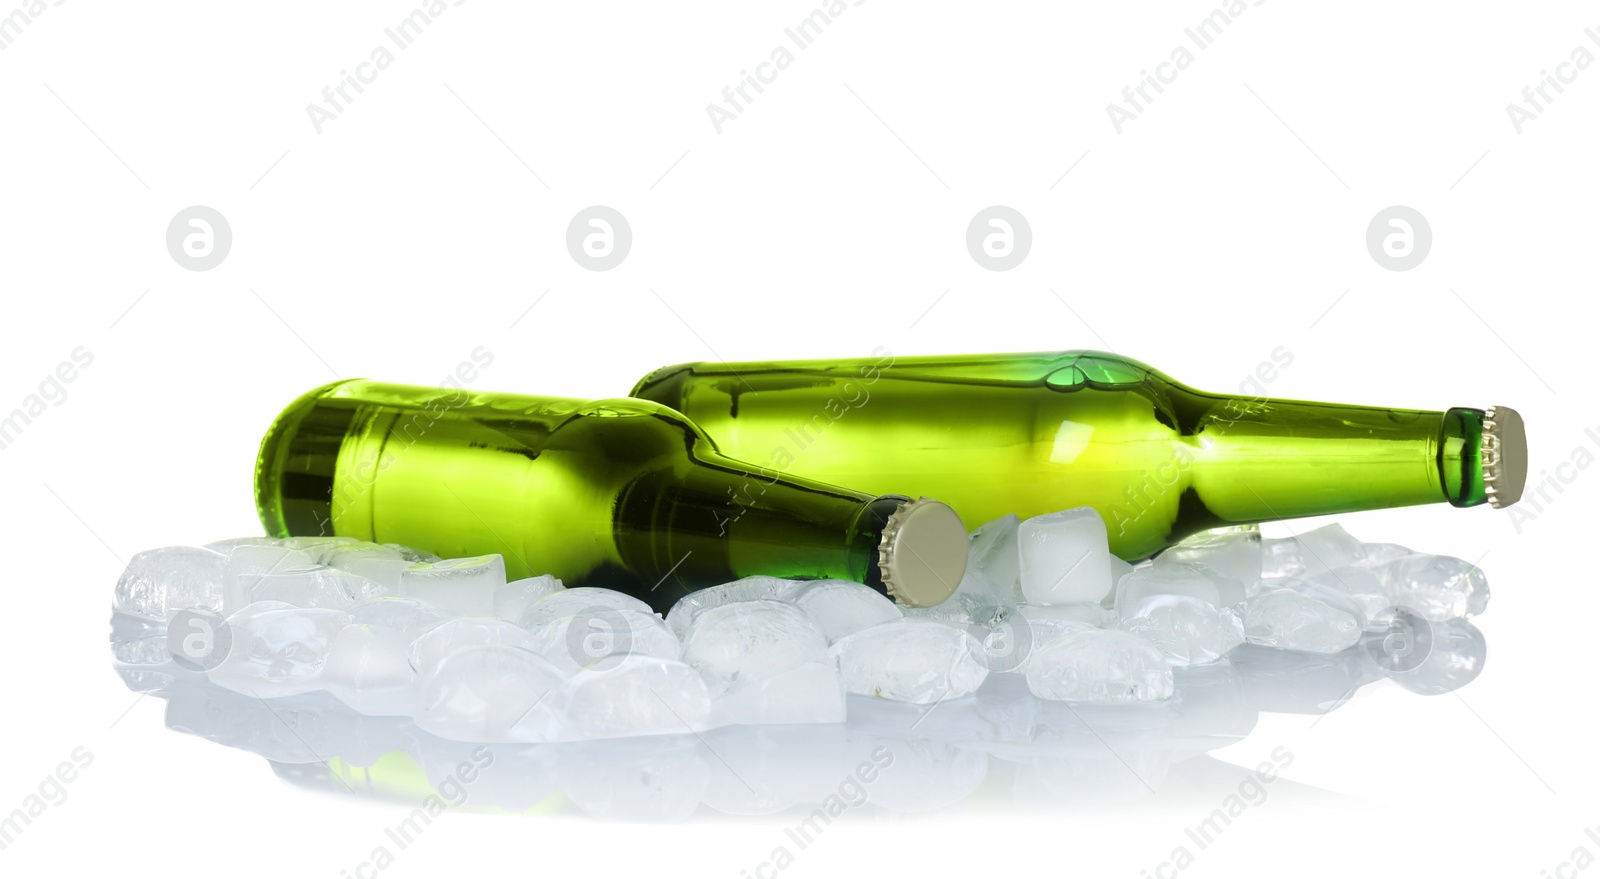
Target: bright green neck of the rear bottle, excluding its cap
1287,459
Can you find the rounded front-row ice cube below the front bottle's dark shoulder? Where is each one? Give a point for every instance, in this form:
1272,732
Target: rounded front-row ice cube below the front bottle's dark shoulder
639,696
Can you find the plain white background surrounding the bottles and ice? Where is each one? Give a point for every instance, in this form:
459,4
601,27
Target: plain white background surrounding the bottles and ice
428,219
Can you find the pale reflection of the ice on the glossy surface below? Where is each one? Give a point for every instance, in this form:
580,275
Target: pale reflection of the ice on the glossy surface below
993,750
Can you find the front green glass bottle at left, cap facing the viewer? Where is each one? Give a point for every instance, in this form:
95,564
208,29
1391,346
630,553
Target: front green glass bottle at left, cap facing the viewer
622,494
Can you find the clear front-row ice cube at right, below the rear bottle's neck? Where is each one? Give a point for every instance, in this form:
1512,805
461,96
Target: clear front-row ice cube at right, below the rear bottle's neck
1305,617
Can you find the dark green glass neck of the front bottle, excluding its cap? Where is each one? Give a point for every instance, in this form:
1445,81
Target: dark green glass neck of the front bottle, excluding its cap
710,520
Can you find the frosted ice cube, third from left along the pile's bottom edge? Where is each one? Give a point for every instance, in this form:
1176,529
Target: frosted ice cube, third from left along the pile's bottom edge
490,694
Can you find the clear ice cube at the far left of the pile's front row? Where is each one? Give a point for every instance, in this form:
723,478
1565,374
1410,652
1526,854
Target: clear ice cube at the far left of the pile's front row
278,651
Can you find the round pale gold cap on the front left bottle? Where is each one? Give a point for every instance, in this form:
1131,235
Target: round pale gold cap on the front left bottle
924,553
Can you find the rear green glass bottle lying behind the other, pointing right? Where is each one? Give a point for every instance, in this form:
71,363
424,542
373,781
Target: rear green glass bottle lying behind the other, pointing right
1039,433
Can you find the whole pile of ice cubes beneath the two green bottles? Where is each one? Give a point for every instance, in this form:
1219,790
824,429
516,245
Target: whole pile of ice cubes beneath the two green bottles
391,632
